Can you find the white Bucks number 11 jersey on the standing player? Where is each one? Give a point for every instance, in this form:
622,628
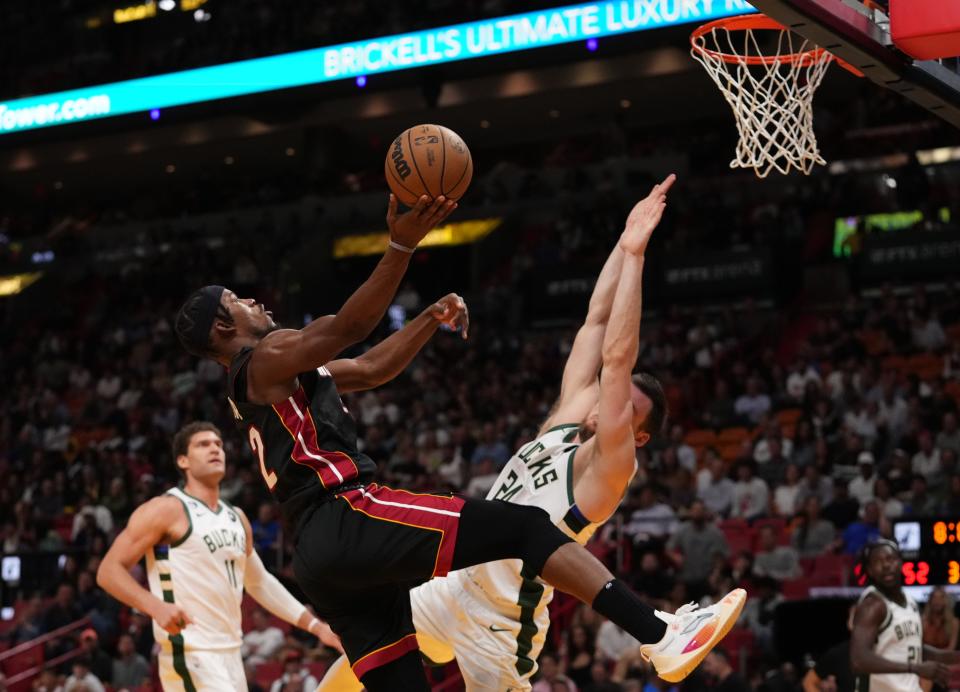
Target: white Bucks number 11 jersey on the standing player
203,574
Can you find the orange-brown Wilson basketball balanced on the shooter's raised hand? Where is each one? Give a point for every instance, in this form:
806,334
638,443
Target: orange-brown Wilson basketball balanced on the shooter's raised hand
428,160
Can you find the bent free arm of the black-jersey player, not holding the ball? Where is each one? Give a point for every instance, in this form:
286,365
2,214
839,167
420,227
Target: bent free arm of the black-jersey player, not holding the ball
391,356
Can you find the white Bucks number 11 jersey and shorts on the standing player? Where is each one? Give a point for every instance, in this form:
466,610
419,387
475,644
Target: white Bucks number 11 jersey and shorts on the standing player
203,573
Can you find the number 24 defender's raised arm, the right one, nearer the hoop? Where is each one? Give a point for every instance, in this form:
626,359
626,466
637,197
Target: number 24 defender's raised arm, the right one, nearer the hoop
608,458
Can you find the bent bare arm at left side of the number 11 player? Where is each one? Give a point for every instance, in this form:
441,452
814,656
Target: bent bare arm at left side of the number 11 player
147,527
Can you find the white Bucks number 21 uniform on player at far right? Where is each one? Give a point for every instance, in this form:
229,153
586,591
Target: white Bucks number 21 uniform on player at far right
900,638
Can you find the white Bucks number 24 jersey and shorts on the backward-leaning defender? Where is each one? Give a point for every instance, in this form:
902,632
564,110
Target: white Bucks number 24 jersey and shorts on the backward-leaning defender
493,617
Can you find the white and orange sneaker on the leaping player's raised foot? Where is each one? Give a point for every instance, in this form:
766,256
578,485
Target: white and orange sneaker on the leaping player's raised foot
691,634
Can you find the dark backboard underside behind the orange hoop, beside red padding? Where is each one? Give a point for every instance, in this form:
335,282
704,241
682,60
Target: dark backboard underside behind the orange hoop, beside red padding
860,33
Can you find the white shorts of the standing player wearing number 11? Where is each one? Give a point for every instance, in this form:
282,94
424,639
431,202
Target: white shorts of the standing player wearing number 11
208,671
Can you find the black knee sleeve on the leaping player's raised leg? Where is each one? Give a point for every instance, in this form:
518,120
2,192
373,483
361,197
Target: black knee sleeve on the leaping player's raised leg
495,530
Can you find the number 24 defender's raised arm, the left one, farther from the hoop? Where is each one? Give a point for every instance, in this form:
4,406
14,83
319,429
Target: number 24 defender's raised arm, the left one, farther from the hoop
578,390
